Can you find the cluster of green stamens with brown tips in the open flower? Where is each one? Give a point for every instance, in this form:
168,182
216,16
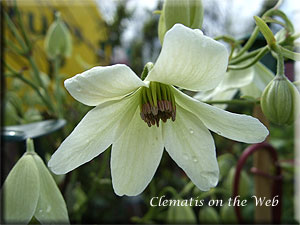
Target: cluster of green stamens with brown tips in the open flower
157,103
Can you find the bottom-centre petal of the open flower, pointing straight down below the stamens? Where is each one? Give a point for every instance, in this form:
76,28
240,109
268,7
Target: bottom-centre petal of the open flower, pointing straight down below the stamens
135,157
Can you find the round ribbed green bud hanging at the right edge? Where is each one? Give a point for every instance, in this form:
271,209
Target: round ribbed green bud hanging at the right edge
280,101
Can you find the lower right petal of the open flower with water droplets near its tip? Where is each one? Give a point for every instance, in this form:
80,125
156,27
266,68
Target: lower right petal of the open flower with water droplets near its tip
191,146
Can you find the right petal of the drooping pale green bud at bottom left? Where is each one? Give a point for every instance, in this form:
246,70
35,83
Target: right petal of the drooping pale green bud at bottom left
51,207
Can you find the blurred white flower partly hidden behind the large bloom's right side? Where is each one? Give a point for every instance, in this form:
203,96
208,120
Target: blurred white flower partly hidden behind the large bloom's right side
251,82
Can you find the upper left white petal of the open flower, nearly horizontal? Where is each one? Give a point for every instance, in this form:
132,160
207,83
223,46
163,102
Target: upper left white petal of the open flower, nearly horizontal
103,83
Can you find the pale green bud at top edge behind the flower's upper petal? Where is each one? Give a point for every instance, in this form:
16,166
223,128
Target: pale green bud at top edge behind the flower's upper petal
187,12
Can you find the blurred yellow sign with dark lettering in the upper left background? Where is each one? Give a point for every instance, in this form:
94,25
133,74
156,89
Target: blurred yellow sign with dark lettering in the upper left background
88,29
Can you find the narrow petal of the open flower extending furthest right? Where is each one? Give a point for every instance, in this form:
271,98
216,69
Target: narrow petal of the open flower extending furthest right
237,127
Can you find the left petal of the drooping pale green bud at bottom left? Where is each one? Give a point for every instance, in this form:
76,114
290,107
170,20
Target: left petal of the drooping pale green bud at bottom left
21,191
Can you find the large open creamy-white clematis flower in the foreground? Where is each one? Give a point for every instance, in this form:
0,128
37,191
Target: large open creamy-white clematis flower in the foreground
127,107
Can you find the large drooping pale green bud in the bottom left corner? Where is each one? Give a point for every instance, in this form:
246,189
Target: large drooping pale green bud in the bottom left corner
30,191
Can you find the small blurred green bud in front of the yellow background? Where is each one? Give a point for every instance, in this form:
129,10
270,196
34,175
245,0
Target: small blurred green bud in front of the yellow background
58,40
